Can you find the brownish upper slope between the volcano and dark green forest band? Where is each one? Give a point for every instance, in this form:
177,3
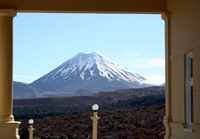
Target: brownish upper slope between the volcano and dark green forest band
99,98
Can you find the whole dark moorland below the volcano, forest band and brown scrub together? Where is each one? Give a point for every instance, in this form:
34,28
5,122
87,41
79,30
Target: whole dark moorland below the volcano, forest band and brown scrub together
123,115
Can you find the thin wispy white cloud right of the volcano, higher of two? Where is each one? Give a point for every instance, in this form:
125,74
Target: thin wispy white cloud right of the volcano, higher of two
149,63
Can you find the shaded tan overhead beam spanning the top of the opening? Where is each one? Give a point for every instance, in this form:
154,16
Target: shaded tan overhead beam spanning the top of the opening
85,6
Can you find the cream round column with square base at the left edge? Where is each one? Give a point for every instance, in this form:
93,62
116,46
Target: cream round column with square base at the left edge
8,128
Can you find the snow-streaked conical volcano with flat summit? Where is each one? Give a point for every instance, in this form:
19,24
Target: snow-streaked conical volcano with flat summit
89,72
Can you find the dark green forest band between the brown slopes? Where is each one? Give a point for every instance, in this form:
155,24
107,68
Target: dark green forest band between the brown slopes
44,111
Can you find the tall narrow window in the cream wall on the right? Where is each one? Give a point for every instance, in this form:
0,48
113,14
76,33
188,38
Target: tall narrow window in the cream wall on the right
189,89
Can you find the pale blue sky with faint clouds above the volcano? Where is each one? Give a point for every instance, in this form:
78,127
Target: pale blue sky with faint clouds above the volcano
44,41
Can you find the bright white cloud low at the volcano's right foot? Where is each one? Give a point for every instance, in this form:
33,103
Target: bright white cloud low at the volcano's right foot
156,79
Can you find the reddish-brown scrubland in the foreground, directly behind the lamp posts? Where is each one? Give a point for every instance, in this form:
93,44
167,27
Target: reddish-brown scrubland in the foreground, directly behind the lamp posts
142,122
